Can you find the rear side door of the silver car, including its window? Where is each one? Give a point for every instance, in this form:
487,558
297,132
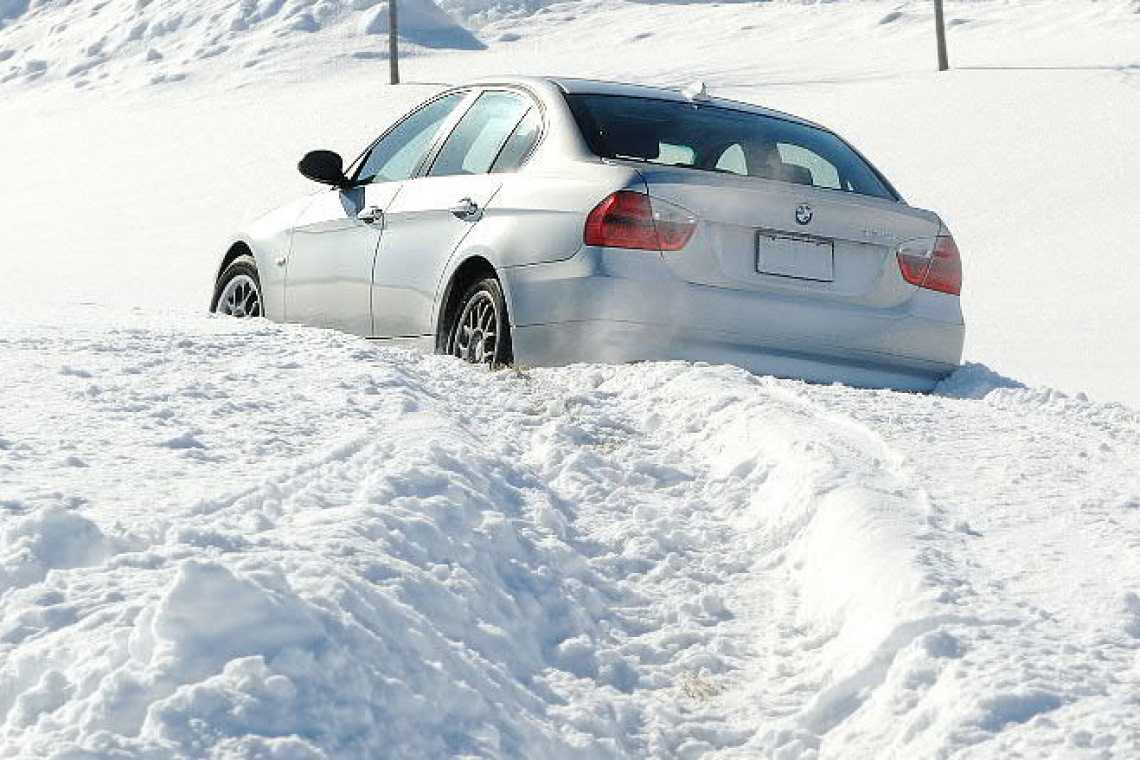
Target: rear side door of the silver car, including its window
434,214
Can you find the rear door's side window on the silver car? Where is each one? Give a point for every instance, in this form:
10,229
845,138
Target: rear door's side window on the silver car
477,140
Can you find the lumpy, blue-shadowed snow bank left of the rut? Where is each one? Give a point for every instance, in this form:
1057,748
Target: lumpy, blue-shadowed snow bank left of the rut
409,595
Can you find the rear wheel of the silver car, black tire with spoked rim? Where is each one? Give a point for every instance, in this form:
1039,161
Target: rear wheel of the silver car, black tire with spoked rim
481,333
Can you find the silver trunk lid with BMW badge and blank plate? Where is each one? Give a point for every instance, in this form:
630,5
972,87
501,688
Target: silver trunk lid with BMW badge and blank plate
773,236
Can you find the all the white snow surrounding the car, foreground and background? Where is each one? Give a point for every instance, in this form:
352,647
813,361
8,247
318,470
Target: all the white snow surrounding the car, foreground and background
250,541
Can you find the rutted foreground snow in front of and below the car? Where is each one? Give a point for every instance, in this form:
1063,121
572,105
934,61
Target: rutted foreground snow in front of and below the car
257,541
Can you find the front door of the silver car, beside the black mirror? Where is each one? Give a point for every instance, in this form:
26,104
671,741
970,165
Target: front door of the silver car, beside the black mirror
330,267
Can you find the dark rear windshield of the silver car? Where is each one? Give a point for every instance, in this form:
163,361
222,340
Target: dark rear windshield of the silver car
723,141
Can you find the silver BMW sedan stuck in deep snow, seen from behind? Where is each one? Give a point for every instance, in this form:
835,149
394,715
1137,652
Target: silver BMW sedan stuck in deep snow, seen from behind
548,222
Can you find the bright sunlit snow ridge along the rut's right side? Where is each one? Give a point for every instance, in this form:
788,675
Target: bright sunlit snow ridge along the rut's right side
793,480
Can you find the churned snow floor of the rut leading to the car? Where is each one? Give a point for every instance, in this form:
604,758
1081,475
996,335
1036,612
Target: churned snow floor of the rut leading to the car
671,552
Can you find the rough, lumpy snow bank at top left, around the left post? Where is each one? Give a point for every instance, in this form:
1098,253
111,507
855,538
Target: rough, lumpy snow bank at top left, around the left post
124,40
